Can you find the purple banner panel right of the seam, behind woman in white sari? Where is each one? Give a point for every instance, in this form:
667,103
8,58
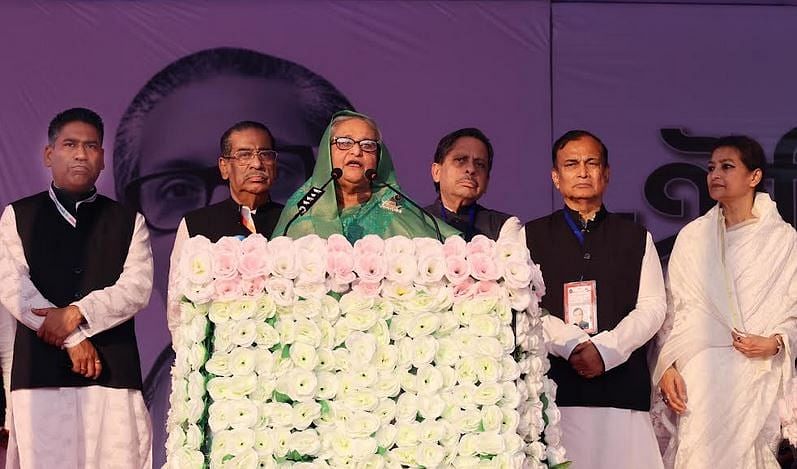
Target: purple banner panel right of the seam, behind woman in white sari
659,82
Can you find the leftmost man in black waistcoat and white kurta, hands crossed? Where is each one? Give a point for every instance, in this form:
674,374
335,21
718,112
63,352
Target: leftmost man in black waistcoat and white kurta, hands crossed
76,267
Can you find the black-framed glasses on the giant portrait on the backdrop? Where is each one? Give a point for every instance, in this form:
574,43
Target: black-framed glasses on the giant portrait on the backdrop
165,197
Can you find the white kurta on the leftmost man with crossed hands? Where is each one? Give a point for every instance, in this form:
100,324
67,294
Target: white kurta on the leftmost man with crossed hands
87,427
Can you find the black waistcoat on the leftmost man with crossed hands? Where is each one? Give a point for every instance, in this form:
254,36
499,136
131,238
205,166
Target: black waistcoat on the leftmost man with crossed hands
66,263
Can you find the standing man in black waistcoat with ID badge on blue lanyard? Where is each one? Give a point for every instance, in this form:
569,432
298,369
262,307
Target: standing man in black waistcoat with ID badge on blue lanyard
607,267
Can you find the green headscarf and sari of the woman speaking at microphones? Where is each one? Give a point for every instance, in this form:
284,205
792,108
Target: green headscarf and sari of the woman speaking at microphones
384,214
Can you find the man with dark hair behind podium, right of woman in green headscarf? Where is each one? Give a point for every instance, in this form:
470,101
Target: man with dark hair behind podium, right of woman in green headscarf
461,172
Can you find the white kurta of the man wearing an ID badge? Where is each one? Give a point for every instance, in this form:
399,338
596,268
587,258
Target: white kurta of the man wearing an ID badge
610,438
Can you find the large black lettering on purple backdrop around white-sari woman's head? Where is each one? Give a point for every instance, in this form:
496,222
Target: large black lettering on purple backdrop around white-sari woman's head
781,174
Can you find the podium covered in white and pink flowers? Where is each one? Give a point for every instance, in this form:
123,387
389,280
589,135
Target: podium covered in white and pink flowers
388,353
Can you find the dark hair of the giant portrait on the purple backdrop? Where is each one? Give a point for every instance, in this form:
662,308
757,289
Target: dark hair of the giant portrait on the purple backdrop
317,97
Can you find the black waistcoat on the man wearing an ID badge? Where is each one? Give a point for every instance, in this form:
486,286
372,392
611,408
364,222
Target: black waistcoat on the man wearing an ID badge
612,256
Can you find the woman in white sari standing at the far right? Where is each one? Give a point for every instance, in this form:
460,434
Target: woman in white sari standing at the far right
726,346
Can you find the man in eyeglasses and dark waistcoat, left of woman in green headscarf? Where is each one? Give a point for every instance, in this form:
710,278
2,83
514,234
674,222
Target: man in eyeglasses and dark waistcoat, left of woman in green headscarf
248,162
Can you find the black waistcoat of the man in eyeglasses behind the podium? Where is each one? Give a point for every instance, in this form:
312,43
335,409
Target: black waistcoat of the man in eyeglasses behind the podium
224,219
